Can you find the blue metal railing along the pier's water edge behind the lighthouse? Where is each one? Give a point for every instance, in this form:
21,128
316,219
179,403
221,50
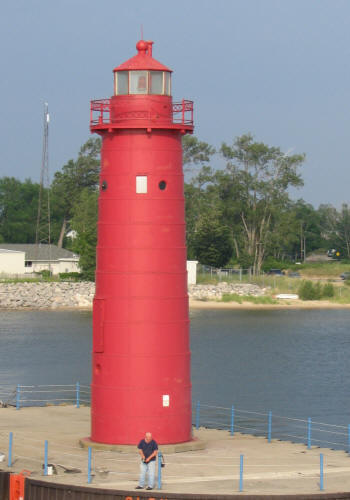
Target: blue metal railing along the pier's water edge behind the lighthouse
232,419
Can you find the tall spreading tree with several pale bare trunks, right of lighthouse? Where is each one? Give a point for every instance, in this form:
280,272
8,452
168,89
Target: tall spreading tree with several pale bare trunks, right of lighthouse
255,185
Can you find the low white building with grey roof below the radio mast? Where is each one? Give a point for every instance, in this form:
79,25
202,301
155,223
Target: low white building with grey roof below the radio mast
19,259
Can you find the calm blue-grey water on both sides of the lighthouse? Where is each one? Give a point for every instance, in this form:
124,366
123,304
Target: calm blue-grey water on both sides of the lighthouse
295,363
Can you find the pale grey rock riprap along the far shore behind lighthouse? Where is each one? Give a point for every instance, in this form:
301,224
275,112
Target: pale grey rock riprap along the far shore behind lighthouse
55,295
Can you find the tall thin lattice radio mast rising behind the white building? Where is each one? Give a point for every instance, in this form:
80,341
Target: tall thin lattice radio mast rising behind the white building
43,223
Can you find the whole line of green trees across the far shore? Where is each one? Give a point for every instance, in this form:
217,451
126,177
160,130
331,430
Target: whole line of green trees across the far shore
241,214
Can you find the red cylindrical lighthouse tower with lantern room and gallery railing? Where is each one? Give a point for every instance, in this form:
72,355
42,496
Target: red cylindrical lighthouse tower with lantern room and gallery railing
141,358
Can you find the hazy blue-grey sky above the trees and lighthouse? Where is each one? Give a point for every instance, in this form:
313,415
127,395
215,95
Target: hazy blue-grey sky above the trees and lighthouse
279,69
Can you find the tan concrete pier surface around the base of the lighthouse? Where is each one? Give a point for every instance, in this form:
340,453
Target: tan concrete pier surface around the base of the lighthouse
269,468
